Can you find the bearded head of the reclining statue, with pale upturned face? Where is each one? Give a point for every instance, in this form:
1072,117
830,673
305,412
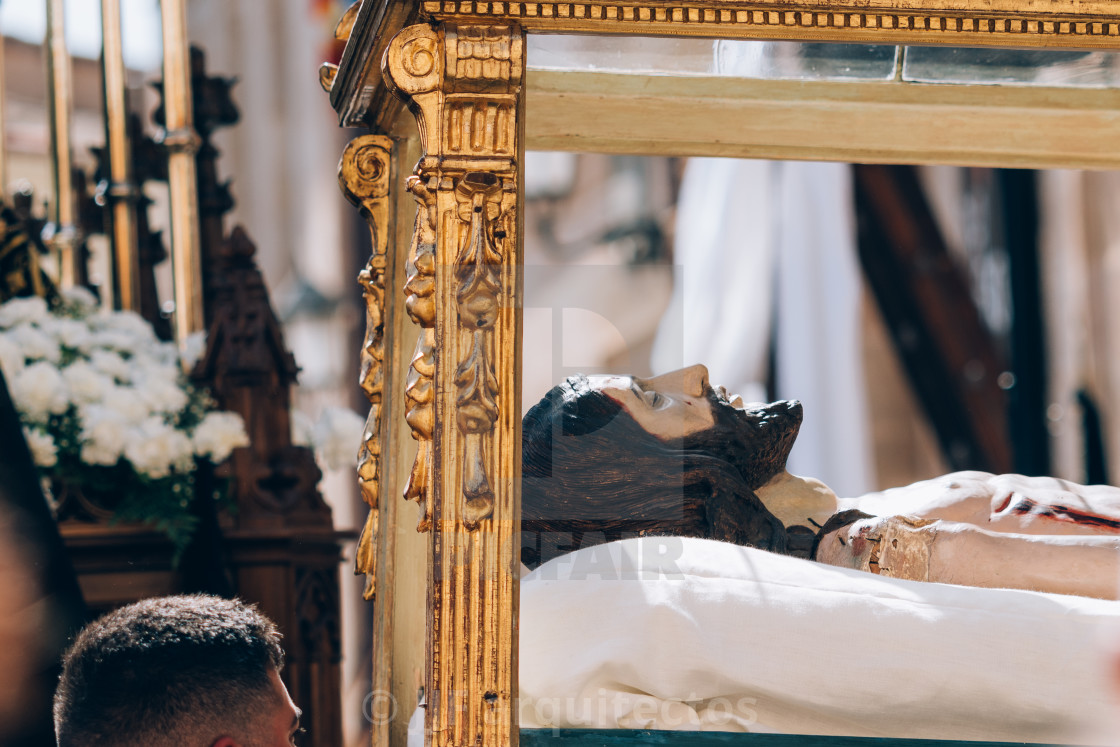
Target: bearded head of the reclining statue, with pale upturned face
610,456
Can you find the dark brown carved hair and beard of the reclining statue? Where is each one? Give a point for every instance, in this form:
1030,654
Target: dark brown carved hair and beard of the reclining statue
592,474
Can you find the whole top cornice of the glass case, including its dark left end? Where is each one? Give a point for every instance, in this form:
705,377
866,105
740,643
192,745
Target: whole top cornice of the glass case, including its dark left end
359,96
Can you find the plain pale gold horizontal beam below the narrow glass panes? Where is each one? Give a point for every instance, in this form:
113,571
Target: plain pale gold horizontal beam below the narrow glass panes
885,123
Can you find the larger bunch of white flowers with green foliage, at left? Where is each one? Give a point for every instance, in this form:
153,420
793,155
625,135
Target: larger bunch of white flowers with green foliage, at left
108,412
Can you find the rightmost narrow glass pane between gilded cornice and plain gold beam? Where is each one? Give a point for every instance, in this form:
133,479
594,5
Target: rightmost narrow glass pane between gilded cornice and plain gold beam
1012,67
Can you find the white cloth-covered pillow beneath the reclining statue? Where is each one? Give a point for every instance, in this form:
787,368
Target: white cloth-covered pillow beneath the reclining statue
671,633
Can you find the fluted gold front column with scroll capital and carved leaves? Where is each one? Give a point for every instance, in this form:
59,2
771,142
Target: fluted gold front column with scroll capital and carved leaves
464,393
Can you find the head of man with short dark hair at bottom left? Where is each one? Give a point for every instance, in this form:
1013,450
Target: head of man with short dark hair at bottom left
190,671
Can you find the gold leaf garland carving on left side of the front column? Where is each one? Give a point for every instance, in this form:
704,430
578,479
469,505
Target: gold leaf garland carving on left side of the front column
419,388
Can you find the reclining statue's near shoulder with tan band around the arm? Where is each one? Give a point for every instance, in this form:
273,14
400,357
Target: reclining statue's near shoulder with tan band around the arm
898,547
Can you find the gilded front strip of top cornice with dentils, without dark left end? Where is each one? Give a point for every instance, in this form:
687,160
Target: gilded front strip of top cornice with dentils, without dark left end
960,23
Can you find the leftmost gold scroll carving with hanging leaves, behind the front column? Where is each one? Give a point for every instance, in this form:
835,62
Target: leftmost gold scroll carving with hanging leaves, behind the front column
365,174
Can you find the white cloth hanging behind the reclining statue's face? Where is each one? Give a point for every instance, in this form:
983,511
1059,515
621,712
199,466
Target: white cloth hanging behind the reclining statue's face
767,250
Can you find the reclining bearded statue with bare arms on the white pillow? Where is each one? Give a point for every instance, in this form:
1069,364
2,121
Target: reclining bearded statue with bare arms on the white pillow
606,457
